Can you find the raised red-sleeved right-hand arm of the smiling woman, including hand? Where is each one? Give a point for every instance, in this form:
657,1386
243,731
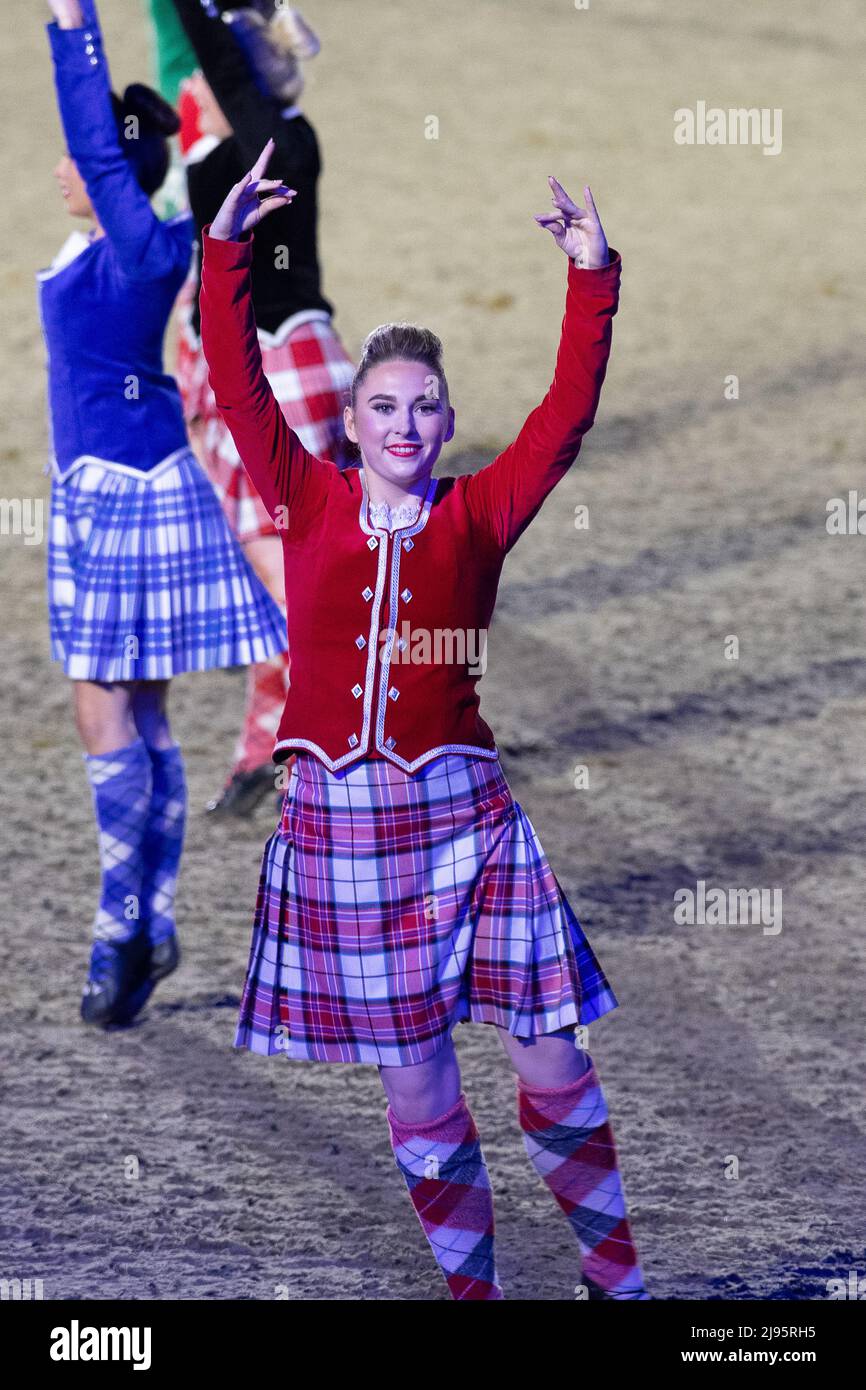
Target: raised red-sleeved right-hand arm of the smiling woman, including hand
509,491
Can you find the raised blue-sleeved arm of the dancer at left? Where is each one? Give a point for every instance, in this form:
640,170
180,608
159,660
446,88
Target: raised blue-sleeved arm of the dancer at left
144,248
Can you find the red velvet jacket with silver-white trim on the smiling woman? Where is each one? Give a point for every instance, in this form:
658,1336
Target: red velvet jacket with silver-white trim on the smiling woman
383,628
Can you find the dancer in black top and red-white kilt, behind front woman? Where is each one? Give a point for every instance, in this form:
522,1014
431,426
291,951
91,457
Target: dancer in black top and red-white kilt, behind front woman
244,101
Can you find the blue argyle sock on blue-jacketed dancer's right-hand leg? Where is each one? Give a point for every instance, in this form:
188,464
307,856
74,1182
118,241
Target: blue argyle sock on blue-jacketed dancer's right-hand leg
163,842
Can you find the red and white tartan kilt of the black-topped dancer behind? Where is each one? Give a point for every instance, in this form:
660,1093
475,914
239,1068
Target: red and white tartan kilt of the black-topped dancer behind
311,373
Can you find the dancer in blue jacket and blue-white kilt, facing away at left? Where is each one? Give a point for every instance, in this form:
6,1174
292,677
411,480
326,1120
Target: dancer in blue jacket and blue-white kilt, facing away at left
145,578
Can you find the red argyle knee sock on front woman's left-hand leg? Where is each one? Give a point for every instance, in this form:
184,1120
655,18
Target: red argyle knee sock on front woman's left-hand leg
451,1192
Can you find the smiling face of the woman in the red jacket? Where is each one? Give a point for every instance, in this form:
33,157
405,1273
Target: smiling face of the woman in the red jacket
400,422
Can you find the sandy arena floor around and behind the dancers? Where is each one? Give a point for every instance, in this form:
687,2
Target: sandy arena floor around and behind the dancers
708,519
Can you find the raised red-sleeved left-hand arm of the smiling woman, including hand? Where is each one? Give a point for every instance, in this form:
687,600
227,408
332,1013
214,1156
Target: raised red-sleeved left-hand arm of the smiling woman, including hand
286,475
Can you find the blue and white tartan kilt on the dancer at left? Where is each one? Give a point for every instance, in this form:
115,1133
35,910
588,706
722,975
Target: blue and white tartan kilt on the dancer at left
147,580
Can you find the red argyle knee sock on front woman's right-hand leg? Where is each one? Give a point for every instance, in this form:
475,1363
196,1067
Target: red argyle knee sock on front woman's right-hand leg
571,1143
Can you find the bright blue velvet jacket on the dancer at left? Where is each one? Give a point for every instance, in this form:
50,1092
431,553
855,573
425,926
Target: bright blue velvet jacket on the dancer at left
105,311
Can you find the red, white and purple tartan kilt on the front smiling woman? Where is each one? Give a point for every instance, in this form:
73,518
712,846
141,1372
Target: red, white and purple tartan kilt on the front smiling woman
393,907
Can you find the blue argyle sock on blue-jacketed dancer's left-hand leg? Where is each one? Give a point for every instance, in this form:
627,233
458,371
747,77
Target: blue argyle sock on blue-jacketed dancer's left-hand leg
122,785
